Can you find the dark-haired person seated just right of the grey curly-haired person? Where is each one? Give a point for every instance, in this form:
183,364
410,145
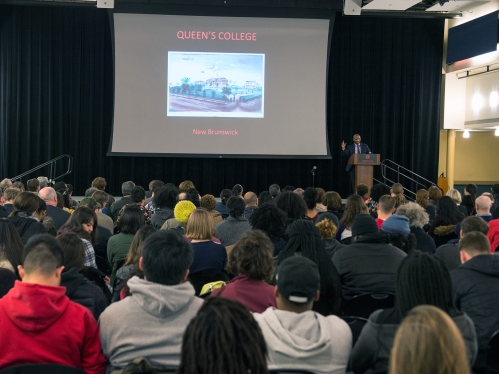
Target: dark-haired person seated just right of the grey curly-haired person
442,227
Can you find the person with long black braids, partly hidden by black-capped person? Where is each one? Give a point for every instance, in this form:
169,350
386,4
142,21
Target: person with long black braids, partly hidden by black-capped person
305,239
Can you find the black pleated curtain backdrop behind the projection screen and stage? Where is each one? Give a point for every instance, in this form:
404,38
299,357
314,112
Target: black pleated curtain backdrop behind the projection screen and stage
56,97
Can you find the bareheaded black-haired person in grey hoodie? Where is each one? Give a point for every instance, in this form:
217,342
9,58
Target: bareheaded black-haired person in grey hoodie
152,321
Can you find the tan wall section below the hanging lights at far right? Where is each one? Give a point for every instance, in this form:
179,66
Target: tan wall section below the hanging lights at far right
477,158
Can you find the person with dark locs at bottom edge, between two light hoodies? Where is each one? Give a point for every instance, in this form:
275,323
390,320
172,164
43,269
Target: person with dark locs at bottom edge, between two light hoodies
223,338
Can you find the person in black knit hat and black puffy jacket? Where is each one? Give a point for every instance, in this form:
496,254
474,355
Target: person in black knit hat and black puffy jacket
370,263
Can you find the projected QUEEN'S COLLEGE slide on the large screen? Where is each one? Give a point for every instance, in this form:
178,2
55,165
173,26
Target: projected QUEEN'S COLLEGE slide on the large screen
219,86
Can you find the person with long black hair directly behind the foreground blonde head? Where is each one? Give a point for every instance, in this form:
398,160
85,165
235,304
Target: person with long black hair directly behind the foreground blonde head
421,279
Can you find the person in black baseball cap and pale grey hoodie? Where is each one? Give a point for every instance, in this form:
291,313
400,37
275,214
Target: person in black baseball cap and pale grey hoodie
298,338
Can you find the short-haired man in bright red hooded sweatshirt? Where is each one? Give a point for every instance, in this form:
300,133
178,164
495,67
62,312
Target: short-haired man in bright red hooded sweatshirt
39,324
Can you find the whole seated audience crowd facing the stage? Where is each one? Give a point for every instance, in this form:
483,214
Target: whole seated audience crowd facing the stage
180,282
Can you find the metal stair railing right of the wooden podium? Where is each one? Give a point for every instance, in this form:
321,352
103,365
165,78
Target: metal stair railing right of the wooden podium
411,181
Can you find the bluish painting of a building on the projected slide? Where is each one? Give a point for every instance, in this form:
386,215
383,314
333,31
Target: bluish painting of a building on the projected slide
215,84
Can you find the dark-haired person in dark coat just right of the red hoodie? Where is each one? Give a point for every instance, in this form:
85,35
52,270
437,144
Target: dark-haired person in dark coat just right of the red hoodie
78,288
